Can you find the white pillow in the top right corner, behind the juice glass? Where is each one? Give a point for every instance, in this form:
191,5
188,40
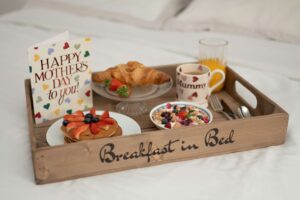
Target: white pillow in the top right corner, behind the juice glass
274,19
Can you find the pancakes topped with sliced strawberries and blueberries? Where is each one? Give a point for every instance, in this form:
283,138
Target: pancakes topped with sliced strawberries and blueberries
79,126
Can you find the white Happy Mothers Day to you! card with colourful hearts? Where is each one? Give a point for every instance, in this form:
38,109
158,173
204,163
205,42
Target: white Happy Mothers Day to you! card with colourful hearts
60,77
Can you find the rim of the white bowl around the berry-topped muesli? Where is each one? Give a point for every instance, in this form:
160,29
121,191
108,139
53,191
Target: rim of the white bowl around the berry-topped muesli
181,103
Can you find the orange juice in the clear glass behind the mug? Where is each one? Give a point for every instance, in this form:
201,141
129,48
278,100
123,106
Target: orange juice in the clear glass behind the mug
212,64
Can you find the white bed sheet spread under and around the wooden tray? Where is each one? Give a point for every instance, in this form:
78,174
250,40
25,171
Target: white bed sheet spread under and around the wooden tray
258,174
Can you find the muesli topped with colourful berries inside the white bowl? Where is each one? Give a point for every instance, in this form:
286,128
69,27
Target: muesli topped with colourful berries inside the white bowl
175,116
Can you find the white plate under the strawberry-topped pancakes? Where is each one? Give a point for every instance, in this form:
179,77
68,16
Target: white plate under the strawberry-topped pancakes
55,136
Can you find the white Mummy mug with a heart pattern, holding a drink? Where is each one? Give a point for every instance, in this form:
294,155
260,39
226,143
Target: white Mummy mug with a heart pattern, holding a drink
192,83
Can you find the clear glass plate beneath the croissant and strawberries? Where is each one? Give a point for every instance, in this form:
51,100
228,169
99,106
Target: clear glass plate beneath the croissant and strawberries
141,93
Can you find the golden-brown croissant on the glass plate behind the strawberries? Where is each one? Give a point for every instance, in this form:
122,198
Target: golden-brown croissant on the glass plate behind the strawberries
132,74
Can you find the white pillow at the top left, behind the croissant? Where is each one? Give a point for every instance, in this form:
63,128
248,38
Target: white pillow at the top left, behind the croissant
146,13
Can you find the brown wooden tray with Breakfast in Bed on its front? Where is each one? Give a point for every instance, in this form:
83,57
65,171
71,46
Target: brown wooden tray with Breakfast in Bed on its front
267,127
